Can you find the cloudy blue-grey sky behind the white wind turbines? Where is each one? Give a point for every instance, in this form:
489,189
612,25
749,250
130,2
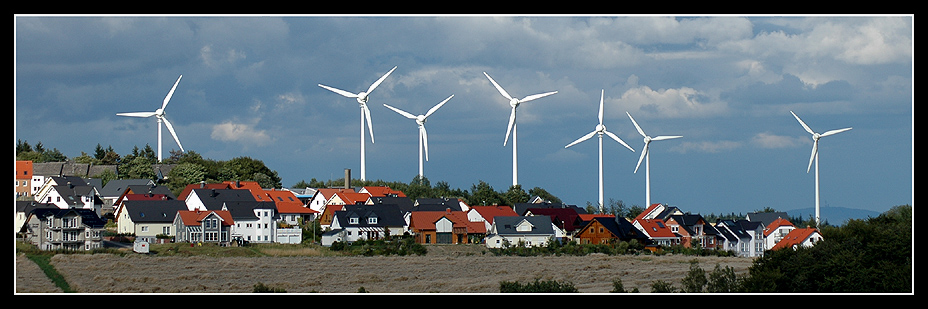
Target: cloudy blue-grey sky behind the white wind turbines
726,83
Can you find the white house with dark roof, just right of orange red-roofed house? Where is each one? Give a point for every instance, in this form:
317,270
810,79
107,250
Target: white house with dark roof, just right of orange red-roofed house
527,231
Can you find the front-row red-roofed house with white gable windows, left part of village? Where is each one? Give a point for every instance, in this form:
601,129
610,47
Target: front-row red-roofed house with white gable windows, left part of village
203,226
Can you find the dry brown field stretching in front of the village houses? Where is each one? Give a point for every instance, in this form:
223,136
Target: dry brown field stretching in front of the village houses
445,269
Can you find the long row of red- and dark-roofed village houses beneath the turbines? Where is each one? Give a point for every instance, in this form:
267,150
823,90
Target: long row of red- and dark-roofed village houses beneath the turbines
61,216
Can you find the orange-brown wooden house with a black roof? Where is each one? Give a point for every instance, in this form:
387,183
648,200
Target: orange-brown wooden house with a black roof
604,230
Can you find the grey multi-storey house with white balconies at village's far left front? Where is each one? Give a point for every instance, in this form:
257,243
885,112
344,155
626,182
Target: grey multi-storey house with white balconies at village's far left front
64,229
